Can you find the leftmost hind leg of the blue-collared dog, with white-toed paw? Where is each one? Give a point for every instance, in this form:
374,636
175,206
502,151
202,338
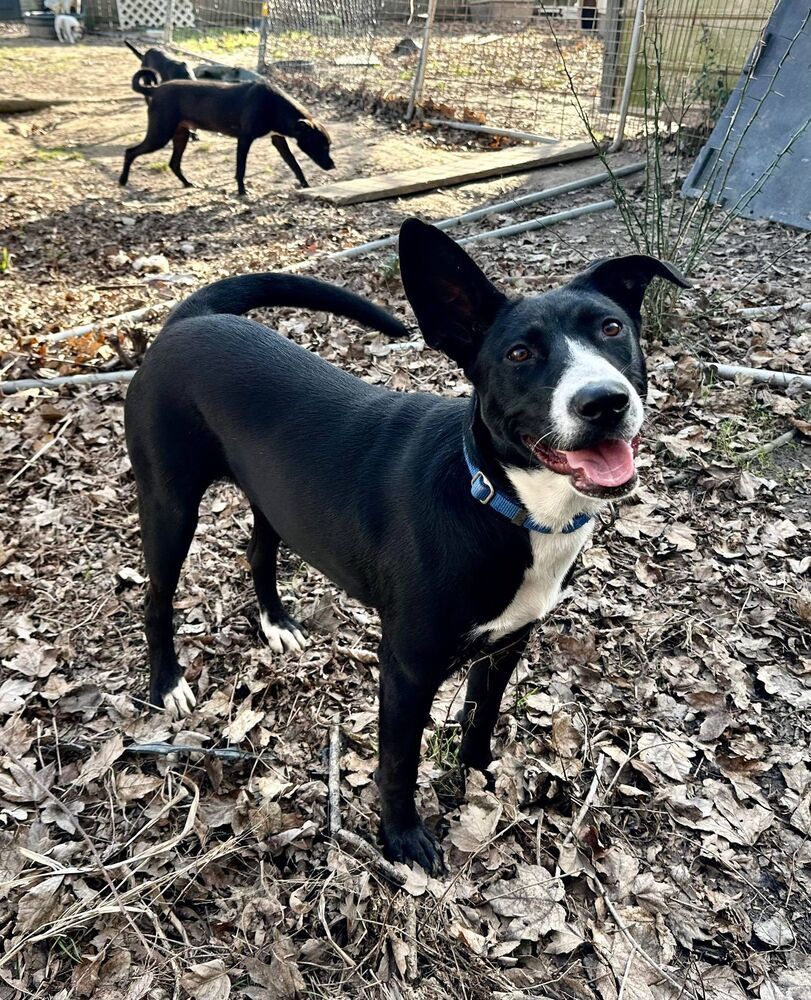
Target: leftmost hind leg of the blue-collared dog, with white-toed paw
168,522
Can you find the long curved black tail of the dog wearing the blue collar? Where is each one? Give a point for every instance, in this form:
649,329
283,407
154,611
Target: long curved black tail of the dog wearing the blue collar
235,296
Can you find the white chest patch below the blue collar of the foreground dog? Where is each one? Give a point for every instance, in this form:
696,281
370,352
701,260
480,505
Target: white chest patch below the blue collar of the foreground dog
539,592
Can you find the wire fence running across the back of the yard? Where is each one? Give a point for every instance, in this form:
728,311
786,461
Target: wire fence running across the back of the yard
523,66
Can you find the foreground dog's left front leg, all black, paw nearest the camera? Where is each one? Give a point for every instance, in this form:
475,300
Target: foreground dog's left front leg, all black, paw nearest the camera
405,703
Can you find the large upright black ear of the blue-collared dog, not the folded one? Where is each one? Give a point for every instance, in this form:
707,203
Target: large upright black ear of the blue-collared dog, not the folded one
454,302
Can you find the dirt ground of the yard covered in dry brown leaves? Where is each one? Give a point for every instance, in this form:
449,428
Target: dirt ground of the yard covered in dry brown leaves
648,834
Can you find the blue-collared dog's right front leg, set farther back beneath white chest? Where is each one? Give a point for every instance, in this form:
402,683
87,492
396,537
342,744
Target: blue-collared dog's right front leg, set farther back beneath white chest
487,681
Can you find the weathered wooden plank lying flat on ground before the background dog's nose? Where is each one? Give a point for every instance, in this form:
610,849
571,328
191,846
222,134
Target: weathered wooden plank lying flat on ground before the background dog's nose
463,168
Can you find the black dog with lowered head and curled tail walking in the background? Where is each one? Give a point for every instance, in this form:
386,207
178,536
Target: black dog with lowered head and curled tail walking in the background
243,110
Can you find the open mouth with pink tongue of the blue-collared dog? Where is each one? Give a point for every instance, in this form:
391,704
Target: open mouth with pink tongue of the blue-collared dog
605,469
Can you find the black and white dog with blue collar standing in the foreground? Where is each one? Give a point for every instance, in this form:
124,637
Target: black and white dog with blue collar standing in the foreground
458,520
